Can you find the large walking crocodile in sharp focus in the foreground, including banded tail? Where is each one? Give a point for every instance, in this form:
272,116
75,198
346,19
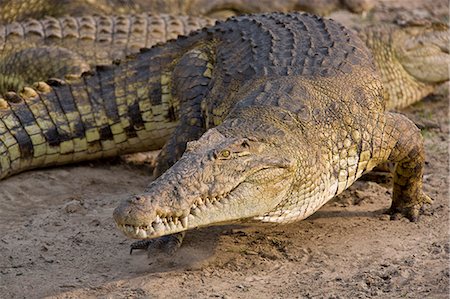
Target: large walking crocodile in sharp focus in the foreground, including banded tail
284,82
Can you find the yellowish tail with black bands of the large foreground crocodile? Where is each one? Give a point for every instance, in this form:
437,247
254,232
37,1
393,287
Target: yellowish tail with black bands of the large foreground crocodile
59,122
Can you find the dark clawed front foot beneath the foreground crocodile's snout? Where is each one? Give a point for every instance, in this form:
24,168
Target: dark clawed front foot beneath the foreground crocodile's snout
167,244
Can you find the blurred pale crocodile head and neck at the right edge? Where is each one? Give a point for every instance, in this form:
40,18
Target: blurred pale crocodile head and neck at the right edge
413,59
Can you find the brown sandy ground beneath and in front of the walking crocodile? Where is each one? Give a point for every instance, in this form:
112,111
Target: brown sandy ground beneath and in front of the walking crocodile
58,239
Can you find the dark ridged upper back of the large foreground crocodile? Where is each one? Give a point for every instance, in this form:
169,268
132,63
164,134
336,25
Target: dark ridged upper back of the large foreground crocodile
279,44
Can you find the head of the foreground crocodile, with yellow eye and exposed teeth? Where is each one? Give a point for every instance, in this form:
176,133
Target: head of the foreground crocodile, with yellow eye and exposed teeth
222,177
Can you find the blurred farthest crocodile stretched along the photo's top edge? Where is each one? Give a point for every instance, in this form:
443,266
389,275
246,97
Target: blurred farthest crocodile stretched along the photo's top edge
20,10
